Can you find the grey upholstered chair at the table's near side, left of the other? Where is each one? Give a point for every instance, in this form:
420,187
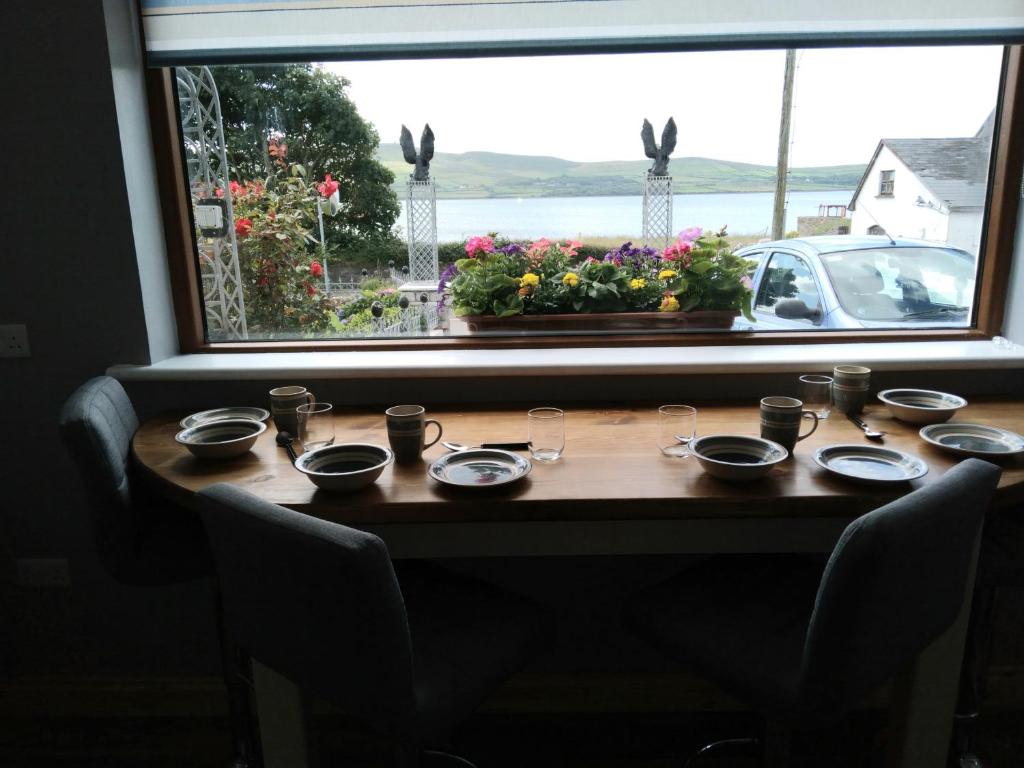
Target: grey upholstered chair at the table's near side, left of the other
321,605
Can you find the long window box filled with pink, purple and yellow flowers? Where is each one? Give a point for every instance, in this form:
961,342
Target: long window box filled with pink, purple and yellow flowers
695,283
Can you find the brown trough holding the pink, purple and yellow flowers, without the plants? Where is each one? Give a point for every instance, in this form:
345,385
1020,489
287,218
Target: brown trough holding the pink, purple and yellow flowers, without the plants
580,323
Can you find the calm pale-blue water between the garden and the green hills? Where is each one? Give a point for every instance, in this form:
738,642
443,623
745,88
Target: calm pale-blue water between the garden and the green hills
745,214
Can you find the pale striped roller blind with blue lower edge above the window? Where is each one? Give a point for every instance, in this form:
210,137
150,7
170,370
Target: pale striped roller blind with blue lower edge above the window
181,32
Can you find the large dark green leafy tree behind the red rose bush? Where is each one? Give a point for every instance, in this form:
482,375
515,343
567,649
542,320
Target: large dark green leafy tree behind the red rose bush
311,112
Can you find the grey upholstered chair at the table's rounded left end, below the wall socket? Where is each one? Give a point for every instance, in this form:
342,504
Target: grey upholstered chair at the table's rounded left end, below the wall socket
142,540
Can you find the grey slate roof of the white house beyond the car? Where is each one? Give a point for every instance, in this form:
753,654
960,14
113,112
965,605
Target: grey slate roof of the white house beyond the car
955,170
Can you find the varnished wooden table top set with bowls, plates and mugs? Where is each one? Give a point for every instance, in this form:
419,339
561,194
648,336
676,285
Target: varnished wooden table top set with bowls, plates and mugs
612,470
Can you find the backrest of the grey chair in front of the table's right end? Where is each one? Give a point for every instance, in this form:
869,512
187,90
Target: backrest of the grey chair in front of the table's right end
894,583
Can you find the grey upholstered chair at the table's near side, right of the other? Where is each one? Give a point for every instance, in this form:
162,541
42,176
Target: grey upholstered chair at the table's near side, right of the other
805,647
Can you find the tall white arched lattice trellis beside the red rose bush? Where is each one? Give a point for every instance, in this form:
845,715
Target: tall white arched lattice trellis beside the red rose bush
206,160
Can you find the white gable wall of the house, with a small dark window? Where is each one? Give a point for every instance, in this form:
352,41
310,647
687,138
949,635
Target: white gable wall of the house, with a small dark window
899,216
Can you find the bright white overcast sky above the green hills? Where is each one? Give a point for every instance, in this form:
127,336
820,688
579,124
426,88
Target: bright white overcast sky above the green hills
727,105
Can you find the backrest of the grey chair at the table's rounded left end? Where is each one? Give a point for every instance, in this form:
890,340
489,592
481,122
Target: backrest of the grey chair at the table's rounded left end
98,424
